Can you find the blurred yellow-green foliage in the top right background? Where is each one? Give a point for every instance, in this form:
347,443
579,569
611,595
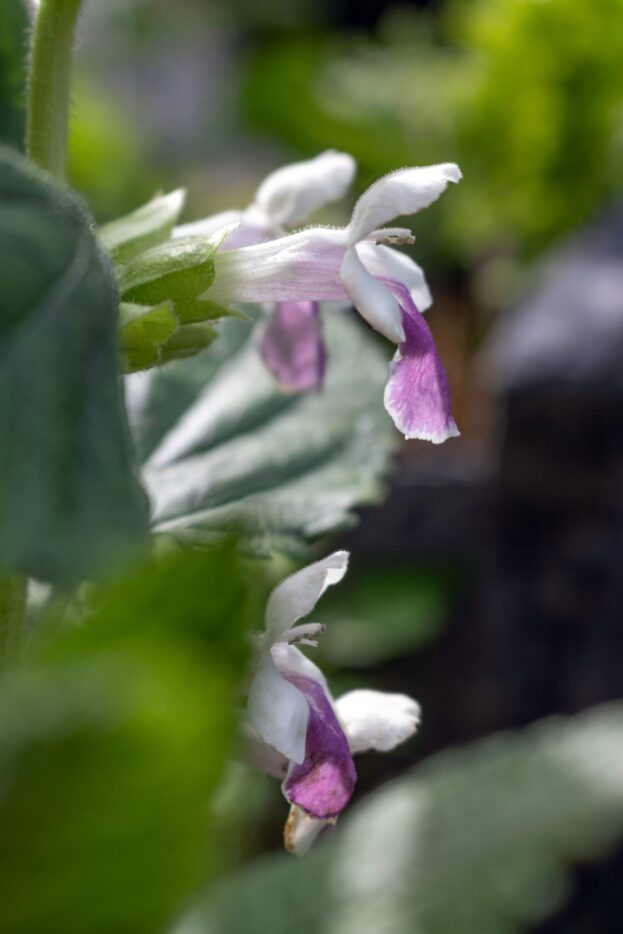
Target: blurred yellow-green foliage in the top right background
526,95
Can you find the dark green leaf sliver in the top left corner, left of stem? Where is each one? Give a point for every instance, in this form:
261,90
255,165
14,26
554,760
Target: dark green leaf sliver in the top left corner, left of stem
13,26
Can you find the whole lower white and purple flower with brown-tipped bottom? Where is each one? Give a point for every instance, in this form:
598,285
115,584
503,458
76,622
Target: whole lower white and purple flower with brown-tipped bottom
299,733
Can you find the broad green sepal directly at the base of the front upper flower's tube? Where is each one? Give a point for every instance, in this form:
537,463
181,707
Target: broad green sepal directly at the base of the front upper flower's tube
179,270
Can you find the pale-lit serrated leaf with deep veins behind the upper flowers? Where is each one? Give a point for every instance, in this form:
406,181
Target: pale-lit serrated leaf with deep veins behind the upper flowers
225,449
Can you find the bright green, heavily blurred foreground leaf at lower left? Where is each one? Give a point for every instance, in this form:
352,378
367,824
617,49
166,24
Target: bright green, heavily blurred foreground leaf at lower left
113,737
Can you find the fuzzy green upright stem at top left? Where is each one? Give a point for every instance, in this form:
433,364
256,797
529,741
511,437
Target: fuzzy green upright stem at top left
49,84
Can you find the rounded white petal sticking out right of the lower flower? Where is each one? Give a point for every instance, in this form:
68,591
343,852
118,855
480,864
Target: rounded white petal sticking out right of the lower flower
375,720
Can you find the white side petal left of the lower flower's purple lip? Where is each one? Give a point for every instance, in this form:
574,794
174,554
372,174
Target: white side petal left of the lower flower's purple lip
278,711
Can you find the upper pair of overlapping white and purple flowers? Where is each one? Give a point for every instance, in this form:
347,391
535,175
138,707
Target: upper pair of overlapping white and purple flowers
259,261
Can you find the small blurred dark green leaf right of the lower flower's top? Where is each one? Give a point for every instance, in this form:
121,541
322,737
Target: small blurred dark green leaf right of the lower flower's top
382,613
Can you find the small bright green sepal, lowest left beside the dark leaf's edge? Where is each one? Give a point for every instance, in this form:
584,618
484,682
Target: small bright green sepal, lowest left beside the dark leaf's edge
142,332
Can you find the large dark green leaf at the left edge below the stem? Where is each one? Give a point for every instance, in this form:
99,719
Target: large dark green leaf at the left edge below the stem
69,499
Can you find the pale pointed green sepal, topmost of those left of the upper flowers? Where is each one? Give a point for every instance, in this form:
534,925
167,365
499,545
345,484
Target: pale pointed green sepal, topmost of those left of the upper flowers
146,227
